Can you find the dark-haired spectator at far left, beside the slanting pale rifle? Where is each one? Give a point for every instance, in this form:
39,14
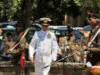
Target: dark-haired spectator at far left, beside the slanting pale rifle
9,41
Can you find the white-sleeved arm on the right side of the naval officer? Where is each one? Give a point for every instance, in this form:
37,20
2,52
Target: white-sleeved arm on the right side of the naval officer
55,48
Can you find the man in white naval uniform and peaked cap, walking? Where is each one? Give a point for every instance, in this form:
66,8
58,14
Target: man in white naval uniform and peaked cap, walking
44,46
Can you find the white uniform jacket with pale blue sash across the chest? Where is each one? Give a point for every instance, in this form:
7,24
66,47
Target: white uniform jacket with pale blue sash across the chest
45,47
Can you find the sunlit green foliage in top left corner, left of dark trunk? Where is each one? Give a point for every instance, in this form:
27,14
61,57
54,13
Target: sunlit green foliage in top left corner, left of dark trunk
7,9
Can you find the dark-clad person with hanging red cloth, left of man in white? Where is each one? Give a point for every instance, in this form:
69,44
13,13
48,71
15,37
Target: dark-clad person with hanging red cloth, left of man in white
23,46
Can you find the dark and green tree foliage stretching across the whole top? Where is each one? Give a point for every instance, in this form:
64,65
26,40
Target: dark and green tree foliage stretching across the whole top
55,9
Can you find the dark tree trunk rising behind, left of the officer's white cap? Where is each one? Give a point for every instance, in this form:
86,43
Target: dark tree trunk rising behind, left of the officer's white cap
26,10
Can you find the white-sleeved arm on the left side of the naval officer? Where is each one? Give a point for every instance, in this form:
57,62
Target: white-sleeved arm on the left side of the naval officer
32,47
